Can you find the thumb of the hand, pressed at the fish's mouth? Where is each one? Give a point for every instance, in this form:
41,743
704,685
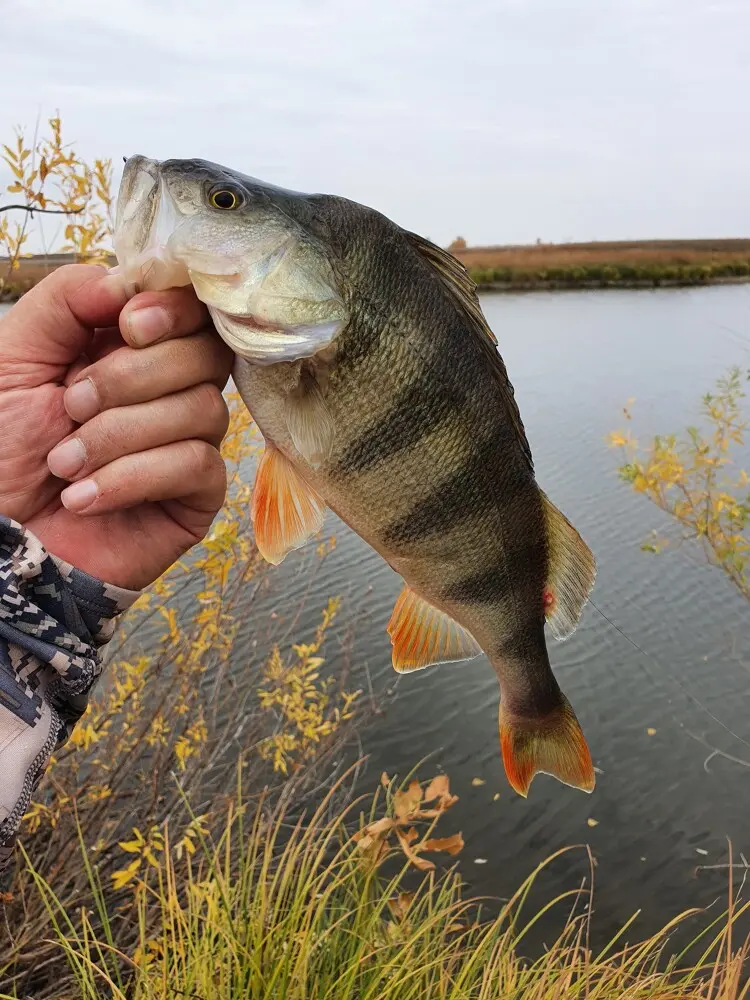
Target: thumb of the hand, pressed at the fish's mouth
53,323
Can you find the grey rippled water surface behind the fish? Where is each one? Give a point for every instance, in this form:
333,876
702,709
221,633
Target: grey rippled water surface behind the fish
575,358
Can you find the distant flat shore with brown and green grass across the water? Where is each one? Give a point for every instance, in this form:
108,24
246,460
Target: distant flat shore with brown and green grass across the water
538,266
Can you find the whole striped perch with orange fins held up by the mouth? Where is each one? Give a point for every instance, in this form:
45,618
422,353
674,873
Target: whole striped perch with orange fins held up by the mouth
363,356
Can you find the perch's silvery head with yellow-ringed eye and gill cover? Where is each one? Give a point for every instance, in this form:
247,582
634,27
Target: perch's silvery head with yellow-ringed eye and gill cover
256,254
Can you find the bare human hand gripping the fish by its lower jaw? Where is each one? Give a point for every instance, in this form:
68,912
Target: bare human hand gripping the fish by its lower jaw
125,404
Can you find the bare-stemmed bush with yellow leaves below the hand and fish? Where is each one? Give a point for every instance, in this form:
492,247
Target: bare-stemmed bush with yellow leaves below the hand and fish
180,702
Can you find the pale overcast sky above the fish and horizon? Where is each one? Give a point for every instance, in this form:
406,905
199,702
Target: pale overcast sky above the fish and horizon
499,120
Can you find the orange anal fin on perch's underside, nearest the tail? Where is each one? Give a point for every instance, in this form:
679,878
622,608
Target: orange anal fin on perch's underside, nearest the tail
421,635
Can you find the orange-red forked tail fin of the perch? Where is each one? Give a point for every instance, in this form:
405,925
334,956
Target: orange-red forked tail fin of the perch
553,744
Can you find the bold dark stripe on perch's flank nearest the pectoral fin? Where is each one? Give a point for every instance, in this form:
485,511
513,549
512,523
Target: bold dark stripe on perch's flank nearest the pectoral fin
412,416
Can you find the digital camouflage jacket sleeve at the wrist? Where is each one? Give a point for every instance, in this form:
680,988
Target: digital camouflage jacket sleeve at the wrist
53,621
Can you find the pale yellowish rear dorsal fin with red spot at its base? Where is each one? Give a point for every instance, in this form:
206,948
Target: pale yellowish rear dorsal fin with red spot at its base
571,573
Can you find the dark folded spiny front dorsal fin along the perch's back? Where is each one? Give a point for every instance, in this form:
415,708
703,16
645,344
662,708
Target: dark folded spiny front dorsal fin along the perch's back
463,291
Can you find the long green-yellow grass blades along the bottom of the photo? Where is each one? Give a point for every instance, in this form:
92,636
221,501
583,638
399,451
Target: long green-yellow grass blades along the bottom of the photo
328,908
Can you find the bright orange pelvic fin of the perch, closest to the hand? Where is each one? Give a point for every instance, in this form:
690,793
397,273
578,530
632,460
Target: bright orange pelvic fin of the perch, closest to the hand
286,511
